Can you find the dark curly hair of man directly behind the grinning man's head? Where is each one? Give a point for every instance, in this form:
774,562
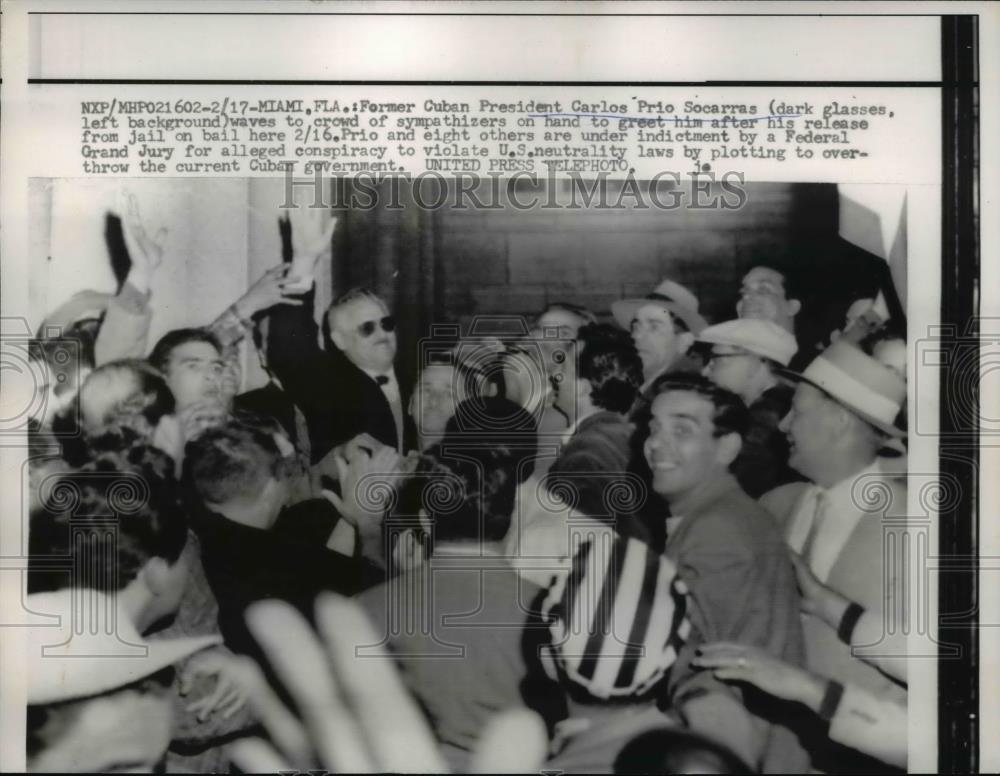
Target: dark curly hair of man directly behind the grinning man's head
608,360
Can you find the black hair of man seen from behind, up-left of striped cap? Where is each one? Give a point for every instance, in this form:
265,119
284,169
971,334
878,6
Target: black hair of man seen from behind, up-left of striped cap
468,481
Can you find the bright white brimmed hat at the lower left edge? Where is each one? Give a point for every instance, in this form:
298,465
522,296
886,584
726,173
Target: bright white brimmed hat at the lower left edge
91,648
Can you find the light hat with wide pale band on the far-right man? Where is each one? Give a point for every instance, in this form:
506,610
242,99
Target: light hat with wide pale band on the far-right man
857,381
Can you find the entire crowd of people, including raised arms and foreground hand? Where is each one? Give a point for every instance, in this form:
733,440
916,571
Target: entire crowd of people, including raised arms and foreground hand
611,544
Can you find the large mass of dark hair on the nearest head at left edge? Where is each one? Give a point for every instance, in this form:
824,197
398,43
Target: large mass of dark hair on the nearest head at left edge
107,518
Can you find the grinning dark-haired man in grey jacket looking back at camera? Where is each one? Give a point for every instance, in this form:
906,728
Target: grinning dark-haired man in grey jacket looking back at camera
731,555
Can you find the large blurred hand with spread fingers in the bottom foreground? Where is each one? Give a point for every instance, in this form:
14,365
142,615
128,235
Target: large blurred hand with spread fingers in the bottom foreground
356,714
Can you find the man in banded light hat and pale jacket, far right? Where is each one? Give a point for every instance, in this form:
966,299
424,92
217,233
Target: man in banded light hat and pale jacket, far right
844,410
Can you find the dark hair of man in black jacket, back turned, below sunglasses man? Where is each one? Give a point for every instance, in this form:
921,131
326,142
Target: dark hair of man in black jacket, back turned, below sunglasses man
235,459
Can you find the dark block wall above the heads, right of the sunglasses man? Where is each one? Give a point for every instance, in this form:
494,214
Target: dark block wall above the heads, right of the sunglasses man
516,262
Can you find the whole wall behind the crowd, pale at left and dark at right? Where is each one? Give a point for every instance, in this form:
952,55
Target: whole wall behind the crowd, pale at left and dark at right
448,264
